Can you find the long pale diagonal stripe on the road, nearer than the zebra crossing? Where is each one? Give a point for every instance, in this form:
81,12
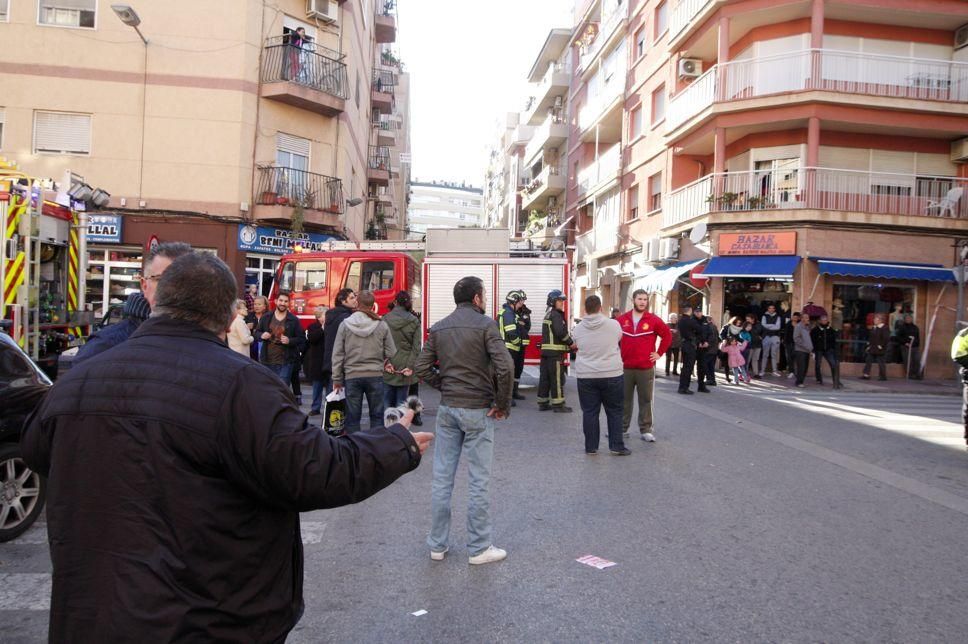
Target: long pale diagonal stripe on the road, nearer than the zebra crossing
898,481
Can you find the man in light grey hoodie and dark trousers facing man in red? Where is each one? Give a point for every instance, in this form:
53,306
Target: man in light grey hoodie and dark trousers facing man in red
599,369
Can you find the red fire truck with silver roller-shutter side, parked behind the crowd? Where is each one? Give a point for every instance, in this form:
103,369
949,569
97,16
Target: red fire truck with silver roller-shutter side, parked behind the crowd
428,271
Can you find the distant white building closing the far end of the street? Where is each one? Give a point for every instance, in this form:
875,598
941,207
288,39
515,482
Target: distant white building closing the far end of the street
440,204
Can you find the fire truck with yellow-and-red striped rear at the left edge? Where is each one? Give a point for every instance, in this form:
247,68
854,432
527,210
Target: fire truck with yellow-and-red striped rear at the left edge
42,265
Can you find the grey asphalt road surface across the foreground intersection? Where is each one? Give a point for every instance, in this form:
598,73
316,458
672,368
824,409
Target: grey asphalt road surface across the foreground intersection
758,515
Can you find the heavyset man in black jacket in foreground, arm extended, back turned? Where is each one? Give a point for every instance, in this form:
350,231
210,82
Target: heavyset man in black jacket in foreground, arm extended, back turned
173,504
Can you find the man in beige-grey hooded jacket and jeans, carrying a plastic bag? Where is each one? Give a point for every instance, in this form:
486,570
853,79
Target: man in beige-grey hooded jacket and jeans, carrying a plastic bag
360,354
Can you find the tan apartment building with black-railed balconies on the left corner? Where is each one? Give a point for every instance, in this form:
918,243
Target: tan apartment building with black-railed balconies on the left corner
214,123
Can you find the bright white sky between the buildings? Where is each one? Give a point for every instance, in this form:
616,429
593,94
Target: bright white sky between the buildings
469,63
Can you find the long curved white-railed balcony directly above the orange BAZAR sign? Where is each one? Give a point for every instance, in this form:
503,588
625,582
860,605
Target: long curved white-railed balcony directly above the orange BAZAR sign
935,201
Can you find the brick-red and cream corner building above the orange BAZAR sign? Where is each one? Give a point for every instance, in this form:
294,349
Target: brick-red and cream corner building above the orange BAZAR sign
807,153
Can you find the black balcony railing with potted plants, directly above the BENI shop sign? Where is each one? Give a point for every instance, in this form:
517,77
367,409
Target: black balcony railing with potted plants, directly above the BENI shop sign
291,187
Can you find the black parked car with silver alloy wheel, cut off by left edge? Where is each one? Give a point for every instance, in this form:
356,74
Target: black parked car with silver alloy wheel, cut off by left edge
22,387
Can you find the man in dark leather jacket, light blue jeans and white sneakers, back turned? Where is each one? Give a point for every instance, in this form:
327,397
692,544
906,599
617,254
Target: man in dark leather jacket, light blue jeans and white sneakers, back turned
465,358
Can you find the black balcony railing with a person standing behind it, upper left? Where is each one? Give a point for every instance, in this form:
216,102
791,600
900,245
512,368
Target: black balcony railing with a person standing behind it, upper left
287,63
